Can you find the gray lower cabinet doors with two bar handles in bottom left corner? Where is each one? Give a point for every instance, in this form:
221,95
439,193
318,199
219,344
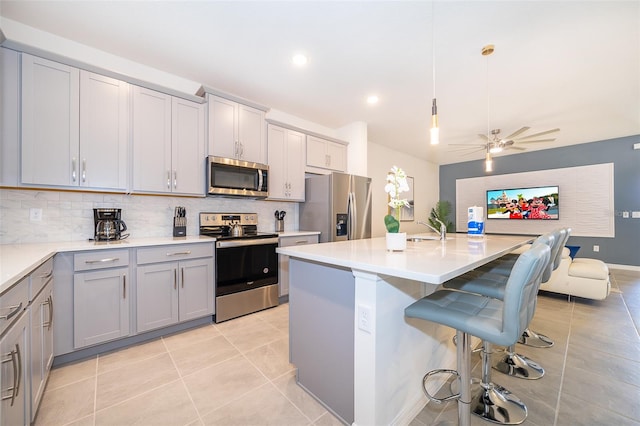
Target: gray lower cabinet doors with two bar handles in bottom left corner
14,404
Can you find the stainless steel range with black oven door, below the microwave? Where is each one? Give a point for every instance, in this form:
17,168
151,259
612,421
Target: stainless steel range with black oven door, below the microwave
246,278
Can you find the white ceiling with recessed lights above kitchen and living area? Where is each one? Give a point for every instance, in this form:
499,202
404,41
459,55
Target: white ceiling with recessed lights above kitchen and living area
568,64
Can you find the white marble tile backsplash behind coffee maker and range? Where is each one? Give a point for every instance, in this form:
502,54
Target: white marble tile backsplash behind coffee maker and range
68,216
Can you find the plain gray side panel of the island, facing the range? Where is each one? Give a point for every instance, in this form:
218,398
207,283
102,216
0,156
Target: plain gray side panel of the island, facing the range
322,334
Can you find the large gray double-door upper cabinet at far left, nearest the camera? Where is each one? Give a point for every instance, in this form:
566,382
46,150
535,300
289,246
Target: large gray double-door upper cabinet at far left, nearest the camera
75,127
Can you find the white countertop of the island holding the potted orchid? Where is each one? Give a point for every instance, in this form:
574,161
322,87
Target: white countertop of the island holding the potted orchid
430,261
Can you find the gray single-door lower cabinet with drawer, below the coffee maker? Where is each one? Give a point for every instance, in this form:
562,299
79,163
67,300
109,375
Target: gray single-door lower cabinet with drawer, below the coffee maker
101,299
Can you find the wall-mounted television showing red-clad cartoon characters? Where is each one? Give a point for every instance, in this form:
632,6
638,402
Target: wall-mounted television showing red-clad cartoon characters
538,203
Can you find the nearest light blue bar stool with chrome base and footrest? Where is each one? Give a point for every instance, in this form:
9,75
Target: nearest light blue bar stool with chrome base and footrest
493,320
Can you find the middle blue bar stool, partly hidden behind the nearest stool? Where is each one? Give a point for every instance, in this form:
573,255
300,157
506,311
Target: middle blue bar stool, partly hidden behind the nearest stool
491,283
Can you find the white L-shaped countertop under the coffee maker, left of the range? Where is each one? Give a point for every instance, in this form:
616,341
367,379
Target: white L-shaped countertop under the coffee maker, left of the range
18,260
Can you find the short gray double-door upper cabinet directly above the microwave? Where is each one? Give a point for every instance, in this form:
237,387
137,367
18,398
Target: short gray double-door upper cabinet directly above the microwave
236,130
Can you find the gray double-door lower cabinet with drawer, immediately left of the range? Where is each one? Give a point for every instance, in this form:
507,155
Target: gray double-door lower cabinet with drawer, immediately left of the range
169,291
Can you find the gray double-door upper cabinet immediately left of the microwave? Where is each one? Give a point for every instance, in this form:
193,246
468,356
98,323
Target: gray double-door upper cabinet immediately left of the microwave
168,144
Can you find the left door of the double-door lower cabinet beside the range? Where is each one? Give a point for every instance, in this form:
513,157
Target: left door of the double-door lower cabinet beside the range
157,295
